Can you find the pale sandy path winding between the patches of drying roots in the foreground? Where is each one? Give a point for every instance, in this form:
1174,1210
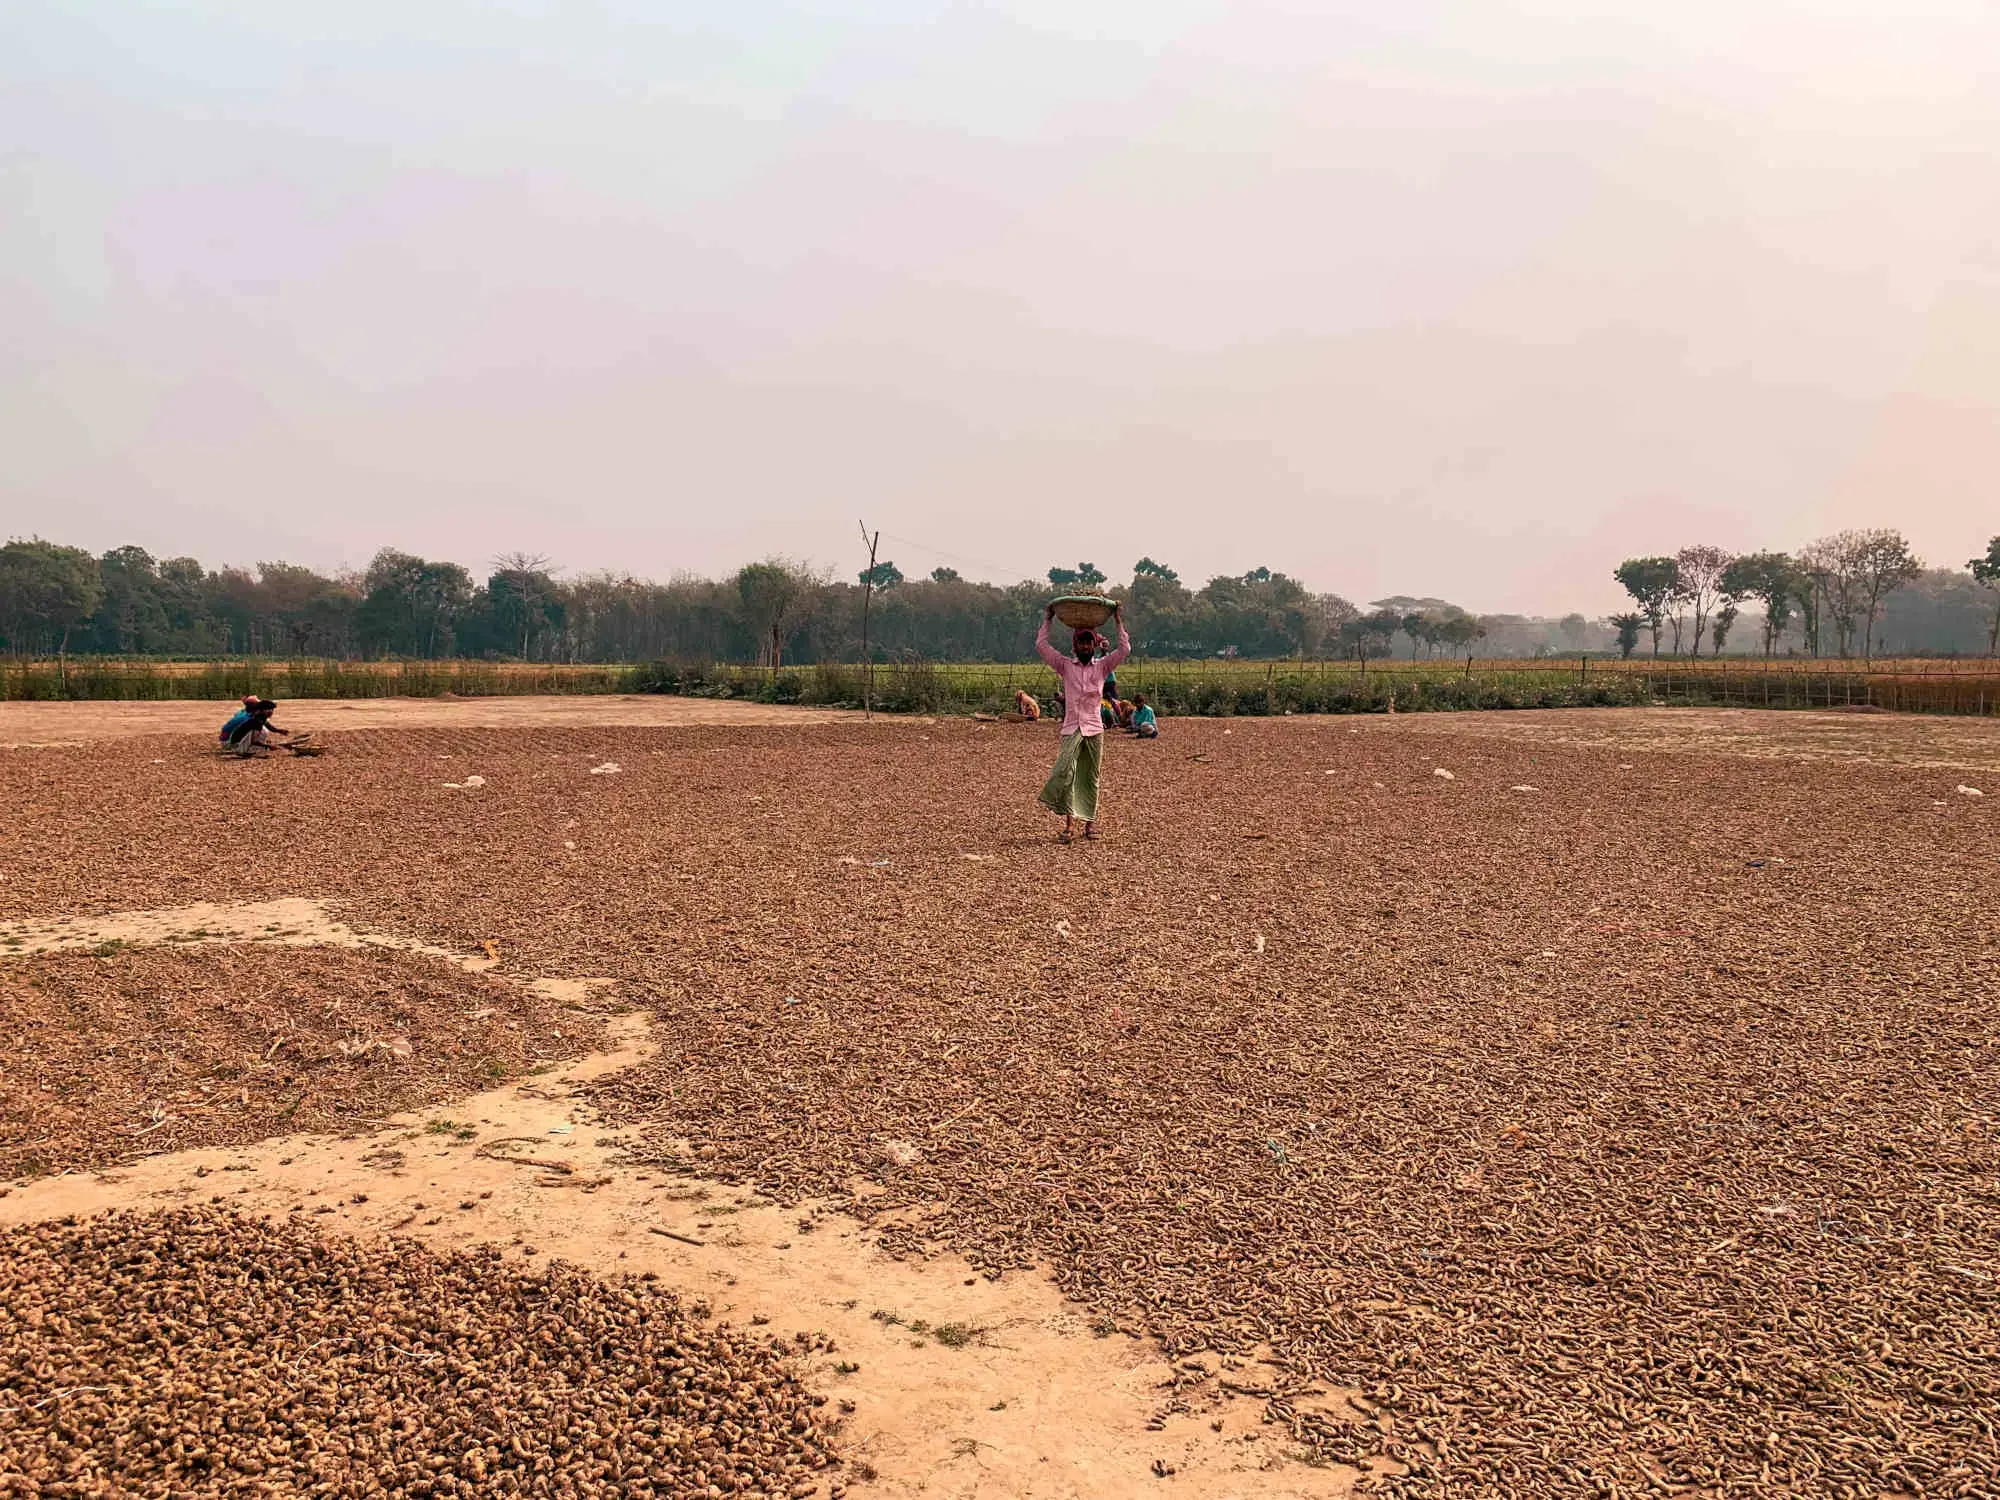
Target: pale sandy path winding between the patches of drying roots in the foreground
1035,1405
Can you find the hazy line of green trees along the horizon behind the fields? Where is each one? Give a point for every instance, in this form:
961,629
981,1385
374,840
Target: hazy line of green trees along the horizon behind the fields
127,603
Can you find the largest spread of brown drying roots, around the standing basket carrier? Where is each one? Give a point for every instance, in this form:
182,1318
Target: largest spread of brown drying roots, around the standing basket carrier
1595,1155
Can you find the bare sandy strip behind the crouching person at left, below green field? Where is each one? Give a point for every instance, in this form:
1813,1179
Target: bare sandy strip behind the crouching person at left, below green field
51,725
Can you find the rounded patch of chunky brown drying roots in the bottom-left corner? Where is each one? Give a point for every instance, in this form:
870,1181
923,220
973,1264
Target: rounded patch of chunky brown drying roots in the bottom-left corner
203,1353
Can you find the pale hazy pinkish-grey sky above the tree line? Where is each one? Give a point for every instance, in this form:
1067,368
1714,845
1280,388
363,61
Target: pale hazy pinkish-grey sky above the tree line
1397,297
